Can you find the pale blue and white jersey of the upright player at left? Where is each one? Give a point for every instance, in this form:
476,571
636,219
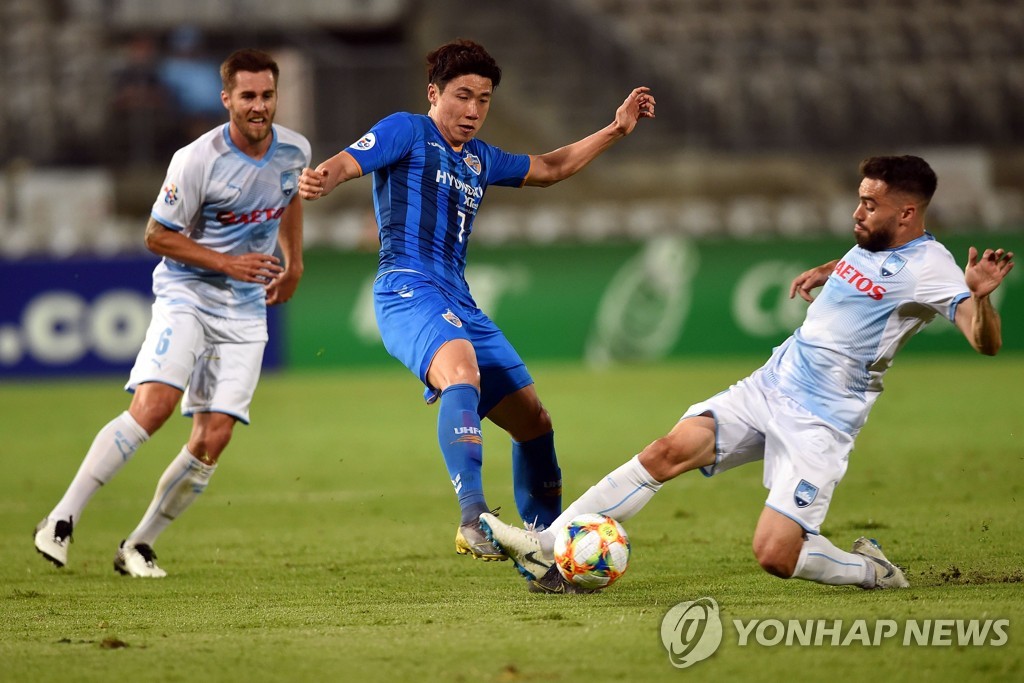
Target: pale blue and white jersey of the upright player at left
231,203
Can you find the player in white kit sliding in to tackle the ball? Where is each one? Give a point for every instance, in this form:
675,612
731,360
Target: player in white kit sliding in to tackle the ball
801,412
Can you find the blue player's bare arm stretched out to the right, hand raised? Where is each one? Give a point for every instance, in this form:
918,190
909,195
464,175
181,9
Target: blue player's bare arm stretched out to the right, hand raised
554,166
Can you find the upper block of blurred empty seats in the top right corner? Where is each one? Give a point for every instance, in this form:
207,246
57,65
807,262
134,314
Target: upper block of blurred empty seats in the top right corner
779,74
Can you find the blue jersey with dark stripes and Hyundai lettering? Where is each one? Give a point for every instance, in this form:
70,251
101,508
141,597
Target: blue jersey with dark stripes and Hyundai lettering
426,195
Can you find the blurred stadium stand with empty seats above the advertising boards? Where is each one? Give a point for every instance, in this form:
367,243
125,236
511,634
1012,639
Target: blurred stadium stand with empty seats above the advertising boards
764,108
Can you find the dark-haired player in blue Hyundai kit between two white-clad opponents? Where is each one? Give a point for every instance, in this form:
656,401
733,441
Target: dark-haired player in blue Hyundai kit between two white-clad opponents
431,175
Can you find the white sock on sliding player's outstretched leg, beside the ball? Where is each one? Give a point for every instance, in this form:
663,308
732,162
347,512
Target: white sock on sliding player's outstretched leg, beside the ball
620,495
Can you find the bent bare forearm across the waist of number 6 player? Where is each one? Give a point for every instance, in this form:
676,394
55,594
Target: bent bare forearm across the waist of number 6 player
251,268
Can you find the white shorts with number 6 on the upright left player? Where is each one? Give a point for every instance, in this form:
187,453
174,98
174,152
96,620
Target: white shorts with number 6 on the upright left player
216,361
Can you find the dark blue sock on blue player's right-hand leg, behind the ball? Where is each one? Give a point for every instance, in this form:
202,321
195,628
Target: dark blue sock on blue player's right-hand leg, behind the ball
537,481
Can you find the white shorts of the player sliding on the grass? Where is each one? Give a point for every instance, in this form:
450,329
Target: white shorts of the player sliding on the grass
804,457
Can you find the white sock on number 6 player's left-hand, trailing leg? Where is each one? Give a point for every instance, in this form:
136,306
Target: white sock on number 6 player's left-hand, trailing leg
113,447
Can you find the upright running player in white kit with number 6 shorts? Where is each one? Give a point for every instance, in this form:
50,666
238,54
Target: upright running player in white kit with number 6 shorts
229,202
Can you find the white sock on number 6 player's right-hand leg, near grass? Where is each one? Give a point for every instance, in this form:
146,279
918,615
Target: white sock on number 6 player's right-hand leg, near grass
181,485
